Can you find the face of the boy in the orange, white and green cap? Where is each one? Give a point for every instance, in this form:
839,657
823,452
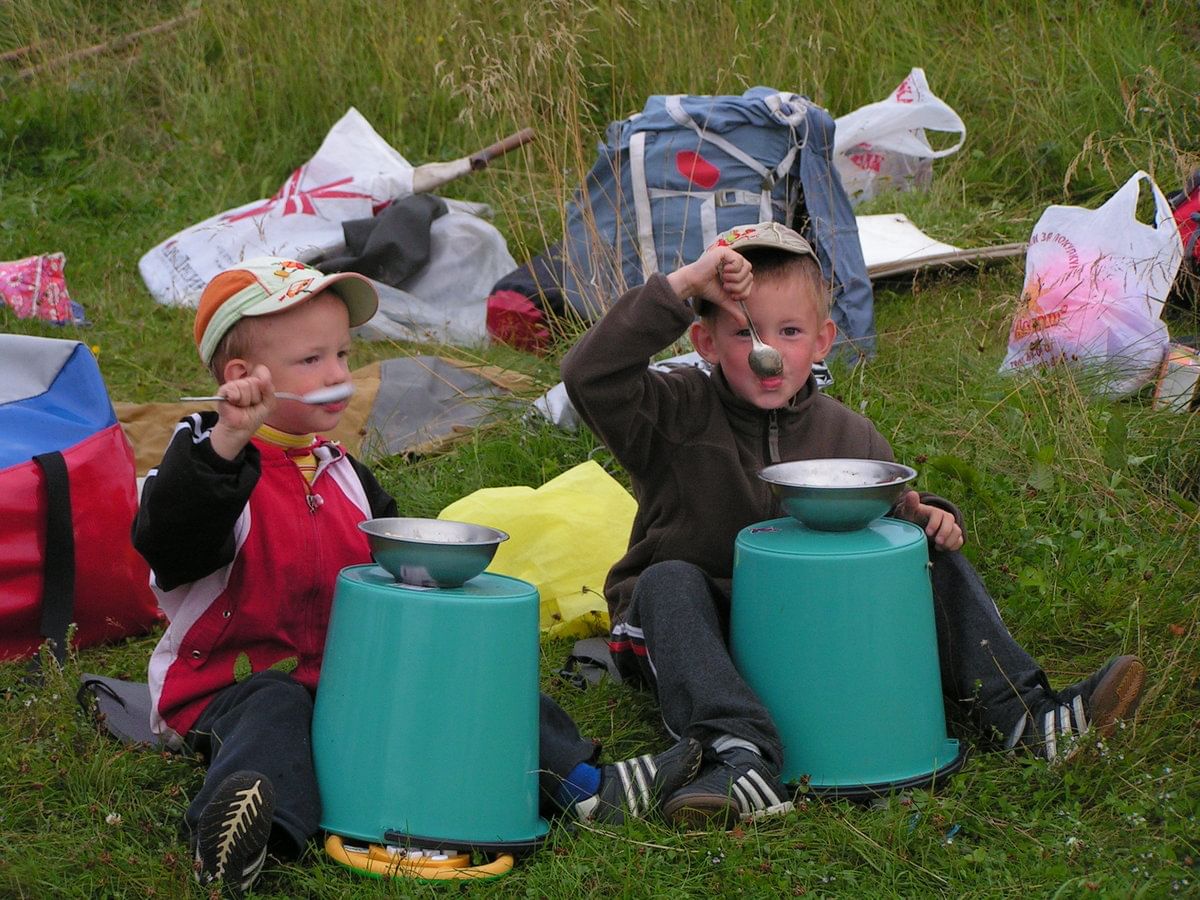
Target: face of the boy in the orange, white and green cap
307,347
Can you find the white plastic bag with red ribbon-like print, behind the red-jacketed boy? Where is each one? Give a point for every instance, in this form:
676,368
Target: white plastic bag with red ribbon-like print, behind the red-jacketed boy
353,175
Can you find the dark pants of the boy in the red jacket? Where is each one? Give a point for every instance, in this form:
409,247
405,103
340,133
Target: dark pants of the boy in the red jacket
265,725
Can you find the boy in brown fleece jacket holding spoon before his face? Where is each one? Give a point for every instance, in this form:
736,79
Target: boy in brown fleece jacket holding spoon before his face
693,446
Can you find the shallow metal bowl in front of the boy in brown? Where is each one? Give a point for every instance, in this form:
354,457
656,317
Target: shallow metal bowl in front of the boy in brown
838,495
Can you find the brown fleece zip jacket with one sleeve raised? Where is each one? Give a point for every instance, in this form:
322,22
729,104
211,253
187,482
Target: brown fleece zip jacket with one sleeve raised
692,447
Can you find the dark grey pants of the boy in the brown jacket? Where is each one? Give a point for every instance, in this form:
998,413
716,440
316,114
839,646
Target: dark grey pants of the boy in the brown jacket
683,620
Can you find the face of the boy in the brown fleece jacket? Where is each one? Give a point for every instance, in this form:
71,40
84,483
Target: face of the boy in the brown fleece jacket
787,317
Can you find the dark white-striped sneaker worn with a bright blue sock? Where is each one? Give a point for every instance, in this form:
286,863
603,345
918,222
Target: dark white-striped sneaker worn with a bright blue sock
632,789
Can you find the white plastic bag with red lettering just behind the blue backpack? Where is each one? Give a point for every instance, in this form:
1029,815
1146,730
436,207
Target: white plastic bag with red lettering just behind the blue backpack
884,147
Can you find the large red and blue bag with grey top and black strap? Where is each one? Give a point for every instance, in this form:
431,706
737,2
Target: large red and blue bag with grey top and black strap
68,500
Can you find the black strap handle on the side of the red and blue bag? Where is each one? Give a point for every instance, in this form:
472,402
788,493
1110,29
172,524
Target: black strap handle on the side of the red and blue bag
59,563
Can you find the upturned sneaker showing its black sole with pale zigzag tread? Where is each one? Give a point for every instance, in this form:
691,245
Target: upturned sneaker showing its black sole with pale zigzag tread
231,845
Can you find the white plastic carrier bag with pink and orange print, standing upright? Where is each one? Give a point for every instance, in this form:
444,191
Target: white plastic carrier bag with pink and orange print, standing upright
1095,287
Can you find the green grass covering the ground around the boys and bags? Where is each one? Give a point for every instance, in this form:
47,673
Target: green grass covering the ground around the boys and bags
1082,514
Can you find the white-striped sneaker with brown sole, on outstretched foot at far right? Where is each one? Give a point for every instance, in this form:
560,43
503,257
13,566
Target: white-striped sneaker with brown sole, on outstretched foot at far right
1055,729
